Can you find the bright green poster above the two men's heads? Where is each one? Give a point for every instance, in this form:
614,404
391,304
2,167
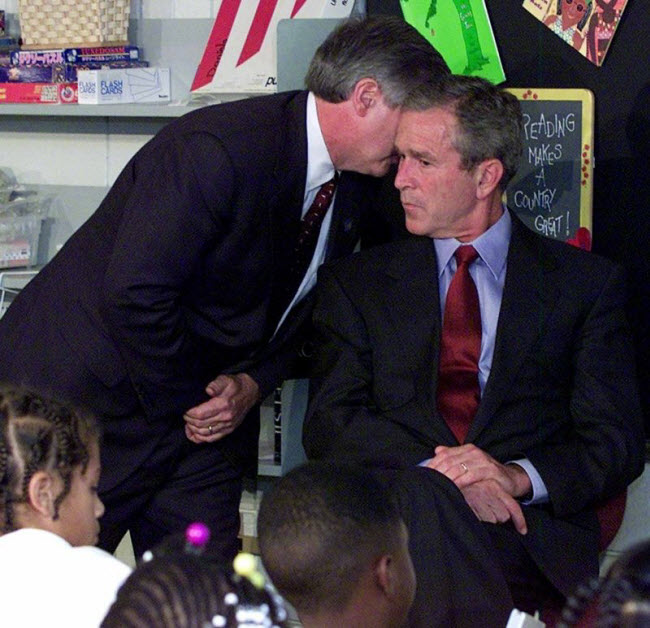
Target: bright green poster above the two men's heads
461,31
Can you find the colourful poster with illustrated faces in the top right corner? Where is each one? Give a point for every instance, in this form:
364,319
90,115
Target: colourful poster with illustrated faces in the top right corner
586,25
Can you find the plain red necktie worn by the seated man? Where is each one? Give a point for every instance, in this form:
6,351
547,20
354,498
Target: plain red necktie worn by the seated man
460,347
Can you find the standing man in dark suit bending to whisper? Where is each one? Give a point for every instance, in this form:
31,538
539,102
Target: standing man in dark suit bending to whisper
177,282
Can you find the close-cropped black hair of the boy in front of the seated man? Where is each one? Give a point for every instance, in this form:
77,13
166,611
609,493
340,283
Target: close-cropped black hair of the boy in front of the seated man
319,527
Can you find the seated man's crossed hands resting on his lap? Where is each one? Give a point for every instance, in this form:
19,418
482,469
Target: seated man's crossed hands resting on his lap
489,487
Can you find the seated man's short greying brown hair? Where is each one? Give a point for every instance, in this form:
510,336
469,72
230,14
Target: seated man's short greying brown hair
490,122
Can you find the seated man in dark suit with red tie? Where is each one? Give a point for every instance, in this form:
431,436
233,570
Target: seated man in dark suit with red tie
503,514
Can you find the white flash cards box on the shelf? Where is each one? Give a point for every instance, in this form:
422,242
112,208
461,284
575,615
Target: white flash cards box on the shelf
124,85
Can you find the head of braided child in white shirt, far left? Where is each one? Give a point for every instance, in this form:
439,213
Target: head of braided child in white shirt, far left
49,467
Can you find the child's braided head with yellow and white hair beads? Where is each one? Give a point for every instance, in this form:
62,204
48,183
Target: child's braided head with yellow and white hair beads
177,588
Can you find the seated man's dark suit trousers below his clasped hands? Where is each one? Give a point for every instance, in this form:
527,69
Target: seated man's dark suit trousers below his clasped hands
468,573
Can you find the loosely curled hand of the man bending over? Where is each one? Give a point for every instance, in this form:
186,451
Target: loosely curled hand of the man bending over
232,396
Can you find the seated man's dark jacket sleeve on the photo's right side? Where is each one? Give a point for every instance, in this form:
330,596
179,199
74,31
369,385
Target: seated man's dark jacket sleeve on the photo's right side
602,452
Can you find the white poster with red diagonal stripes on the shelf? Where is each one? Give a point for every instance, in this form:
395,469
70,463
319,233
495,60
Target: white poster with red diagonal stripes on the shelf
240,55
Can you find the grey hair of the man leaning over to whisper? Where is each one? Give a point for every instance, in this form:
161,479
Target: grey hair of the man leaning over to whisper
382,47
